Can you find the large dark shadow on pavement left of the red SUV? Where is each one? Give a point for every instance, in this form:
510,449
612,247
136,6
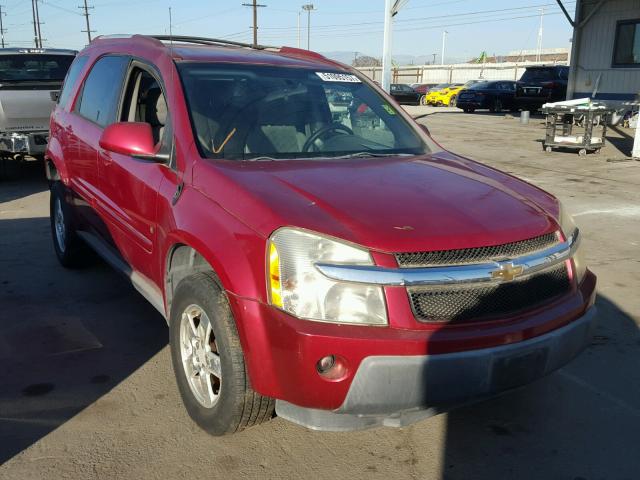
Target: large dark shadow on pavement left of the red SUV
66,337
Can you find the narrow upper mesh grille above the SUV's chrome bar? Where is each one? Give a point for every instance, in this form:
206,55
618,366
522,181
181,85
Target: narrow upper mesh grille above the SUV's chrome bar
476,255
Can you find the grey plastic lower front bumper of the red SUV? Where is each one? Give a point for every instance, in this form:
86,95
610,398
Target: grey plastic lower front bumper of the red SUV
400,390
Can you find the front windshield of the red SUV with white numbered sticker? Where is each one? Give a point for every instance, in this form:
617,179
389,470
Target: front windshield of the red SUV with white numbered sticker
268,113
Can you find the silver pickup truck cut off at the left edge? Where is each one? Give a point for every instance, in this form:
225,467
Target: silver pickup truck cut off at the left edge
30,79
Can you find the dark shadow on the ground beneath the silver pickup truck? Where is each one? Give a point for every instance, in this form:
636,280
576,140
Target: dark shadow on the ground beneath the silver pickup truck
21,179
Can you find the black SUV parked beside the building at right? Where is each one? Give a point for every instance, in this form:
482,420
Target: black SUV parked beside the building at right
541,84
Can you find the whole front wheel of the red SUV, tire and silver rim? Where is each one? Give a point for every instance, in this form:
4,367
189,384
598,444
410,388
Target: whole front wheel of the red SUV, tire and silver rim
208,361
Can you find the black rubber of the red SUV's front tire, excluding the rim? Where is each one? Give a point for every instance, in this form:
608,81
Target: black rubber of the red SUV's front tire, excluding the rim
237,405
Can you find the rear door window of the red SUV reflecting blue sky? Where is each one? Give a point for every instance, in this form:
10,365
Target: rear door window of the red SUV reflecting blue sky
101,91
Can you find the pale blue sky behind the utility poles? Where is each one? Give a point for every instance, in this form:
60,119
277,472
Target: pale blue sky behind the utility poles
492,26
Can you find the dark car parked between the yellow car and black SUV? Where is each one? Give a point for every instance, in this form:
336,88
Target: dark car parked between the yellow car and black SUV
494,96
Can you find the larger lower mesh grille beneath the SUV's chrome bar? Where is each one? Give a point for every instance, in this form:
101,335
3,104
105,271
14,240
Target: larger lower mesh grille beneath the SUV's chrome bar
478,302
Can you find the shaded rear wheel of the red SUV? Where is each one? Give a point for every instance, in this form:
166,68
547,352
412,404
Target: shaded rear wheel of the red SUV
71,251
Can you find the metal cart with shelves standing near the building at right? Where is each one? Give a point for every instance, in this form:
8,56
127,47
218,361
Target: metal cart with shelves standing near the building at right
587,117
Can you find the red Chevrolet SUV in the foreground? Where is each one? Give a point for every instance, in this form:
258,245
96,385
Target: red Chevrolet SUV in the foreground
313,250
